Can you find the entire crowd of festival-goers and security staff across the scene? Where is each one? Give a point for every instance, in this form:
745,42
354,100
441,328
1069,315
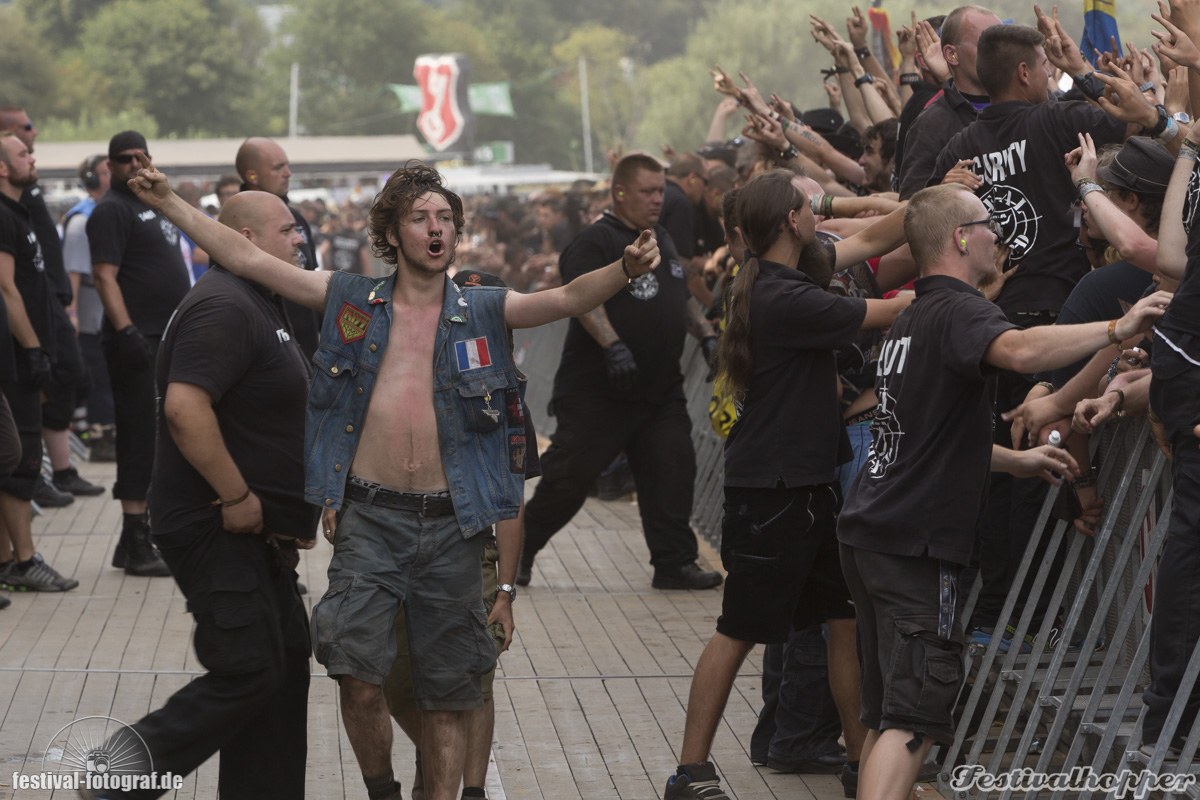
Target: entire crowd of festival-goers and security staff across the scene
903,297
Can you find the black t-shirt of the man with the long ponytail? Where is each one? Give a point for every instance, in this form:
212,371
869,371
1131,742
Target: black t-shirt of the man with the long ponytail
790,425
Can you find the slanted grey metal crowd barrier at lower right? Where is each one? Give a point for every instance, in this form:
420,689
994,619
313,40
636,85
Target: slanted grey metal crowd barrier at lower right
1072,706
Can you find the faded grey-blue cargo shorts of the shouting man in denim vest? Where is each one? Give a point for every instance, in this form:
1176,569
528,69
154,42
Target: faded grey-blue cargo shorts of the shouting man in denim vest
389,562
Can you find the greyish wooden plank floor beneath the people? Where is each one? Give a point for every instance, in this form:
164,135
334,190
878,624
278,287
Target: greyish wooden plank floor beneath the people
590,701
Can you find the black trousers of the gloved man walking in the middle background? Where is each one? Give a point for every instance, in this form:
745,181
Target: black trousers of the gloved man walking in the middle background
592,432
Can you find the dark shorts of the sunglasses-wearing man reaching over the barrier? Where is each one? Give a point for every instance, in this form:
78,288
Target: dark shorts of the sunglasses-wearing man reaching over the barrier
910,637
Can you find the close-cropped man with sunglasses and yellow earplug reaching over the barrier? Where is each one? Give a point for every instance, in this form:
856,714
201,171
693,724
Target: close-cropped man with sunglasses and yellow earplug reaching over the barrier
932,446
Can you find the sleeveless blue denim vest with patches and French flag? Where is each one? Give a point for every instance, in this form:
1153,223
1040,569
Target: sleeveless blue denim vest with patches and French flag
476,398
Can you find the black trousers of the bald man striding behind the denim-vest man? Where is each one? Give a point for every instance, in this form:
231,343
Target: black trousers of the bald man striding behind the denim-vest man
253,636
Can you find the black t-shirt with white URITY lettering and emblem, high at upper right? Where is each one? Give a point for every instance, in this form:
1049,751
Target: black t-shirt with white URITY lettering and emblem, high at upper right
1018,149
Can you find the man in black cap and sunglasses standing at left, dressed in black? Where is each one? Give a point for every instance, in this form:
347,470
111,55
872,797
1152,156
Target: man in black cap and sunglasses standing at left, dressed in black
141,278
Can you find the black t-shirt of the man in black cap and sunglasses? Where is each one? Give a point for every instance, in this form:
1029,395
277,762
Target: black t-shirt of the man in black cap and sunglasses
145,246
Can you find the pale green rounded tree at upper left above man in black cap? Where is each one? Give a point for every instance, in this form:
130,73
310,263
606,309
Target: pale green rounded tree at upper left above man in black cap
188,64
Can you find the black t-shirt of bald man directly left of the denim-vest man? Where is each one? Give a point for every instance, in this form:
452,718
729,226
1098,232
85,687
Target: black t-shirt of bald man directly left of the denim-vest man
230,340
